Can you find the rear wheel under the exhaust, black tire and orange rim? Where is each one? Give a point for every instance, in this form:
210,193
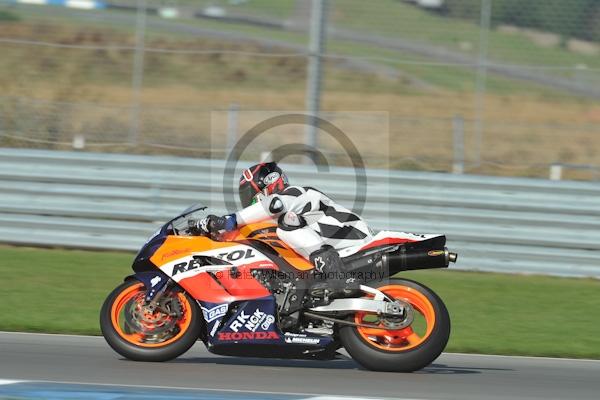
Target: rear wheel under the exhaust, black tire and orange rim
400,355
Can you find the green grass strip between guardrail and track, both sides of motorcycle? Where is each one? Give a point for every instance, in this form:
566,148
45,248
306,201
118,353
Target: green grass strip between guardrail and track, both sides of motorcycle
63,290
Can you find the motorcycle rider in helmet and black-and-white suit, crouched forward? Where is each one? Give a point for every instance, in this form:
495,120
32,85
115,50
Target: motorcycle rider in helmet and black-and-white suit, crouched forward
307,220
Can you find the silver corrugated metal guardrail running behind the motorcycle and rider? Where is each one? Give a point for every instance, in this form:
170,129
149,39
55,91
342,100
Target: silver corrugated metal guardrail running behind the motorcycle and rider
114,201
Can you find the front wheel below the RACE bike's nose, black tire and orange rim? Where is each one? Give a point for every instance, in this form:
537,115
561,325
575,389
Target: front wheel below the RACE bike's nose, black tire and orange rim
131,343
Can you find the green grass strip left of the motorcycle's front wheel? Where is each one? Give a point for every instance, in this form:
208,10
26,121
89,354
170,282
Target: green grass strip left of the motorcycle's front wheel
57,291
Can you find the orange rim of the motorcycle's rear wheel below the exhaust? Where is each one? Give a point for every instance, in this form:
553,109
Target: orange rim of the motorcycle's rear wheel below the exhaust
399,339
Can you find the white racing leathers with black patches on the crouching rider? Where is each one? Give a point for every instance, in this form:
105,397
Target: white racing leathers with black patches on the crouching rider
307,219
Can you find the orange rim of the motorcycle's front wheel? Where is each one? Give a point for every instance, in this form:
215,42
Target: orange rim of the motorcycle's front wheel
134,294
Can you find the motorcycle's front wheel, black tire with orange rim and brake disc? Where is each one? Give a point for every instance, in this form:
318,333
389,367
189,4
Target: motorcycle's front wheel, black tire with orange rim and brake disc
141,333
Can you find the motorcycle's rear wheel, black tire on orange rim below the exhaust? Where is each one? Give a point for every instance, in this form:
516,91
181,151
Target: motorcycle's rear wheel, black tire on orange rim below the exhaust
405,349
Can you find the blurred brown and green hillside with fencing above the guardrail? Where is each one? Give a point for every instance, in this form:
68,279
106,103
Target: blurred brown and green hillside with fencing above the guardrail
500,87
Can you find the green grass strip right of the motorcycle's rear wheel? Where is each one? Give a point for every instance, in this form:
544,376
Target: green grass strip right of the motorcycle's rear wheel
517,314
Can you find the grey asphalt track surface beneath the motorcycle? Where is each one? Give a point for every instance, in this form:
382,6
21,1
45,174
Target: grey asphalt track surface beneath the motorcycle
49,362
